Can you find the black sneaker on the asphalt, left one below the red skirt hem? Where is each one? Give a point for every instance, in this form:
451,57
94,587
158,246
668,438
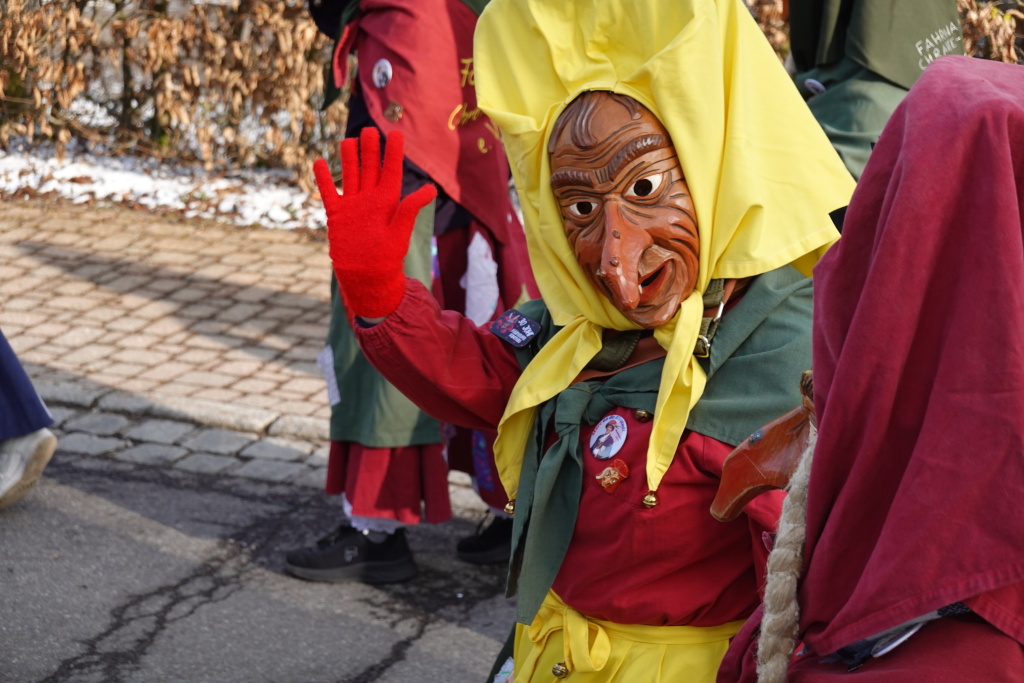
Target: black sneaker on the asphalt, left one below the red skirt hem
347,554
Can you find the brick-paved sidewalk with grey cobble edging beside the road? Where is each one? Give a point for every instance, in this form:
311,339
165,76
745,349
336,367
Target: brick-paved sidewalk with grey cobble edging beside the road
183,345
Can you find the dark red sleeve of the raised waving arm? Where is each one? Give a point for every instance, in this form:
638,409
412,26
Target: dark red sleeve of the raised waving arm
451,369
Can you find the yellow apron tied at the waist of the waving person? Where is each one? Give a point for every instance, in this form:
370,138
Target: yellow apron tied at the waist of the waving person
587,651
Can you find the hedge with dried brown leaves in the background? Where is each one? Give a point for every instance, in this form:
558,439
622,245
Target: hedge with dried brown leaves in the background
236,84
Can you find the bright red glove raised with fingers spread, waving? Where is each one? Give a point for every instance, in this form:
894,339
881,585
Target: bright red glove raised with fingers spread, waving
369,228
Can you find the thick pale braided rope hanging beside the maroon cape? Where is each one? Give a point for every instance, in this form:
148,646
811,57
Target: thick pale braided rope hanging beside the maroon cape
782,611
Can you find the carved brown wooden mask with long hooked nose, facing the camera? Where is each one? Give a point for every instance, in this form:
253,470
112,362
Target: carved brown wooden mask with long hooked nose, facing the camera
625,205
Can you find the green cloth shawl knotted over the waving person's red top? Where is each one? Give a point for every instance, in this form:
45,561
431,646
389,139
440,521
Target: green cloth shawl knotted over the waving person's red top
758,356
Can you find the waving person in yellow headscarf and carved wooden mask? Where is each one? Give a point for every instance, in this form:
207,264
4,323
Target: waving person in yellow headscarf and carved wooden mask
676,193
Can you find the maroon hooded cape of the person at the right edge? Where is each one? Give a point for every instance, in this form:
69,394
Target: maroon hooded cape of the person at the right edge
917,483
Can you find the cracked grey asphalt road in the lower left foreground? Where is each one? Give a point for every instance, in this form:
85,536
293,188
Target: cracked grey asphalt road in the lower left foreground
118,572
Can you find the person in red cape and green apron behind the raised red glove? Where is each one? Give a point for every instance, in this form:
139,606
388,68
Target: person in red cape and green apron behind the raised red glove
389,458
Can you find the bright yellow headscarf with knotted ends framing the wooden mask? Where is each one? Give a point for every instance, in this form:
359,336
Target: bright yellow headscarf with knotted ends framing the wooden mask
762,175
